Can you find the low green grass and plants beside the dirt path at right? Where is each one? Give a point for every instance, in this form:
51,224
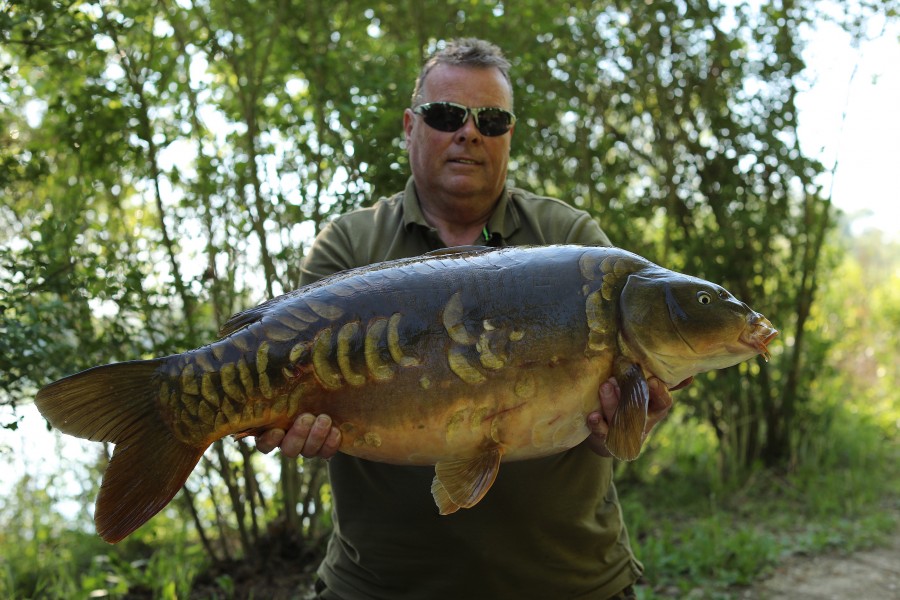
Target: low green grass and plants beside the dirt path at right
702,535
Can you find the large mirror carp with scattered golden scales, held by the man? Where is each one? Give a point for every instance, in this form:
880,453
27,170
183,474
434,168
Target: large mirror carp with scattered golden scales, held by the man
458,359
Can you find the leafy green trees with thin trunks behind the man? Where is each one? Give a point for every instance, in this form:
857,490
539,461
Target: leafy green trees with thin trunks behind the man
164,164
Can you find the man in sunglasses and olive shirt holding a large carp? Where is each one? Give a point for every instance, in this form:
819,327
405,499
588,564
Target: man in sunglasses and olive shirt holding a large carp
551,527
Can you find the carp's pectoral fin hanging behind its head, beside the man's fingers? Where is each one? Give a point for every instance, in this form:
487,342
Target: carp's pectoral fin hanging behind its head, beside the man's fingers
626,432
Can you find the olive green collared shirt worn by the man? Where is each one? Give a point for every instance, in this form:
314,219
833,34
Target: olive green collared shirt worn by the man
548,528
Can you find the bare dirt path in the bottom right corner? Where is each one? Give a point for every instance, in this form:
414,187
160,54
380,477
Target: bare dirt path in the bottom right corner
868,575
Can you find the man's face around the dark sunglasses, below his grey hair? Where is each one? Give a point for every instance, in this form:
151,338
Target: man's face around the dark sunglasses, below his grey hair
462,163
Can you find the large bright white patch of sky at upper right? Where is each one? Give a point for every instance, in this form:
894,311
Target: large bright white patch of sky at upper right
851,114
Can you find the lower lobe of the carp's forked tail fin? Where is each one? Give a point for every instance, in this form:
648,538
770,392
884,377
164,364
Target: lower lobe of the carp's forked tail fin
143,476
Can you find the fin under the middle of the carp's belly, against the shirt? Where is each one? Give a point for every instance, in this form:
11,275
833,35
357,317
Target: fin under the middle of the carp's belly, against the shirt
462,483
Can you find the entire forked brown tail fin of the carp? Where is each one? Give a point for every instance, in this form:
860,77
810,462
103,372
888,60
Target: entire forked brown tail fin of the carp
118,403
